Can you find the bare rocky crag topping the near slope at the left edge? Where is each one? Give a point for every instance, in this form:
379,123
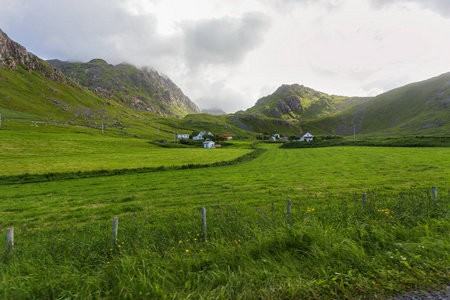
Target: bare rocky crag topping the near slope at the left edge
13,56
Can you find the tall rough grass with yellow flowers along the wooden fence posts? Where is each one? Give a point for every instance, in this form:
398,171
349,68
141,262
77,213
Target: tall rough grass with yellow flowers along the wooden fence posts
332,247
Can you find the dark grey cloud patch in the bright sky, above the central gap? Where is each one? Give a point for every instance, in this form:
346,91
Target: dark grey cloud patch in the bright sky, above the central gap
223,40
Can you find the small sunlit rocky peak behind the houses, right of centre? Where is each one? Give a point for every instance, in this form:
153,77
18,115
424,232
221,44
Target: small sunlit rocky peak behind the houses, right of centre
297,102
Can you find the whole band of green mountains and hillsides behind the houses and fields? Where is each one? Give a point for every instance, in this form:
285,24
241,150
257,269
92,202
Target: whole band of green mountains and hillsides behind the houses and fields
142,103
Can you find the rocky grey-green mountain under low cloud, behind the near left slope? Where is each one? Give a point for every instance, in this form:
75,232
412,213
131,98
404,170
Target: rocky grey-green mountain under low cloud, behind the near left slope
142,89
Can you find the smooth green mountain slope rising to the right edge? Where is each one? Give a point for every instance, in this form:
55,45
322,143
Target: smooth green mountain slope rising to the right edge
418,108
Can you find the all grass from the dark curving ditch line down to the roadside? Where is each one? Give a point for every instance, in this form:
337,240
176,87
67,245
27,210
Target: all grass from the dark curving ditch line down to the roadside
332,247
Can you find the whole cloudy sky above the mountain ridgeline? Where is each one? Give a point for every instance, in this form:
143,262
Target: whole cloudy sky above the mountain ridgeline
226,54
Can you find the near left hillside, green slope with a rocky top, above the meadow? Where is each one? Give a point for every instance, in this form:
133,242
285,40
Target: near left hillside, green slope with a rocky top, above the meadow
34,91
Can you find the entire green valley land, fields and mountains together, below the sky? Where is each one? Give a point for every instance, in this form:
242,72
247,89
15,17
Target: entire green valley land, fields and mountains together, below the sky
350,215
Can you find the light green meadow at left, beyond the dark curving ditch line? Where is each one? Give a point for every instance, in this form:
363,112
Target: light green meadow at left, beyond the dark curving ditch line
83,149
